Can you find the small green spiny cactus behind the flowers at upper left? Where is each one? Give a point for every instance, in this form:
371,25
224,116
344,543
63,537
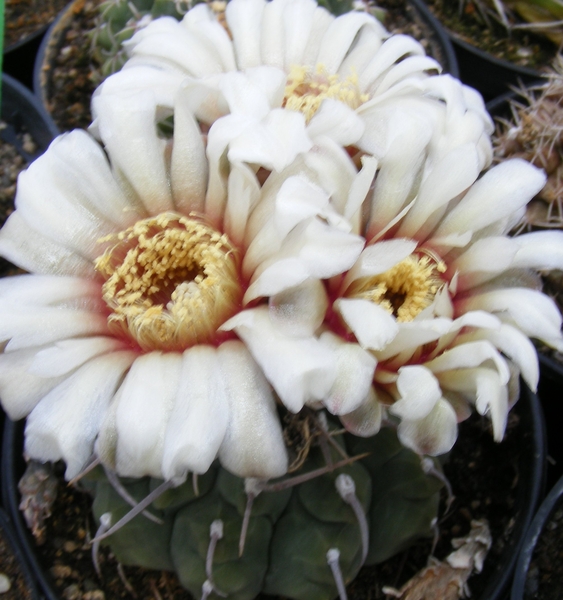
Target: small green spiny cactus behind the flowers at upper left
120,19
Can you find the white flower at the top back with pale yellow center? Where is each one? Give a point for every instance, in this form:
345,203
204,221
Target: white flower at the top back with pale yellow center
347,76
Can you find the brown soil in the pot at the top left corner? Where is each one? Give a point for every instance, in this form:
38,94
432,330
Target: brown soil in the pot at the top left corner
24,18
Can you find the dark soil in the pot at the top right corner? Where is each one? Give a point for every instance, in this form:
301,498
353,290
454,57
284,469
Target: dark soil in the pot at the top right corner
521,48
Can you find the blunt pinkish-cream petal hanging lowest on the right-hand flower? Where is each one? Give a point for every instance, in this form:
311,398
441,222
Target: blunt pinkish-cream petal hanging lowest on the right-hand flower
433,435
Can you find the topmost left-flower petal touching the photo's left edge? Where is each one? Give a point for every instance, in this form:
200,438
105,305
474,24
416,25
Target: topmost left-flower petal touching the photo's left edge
31,250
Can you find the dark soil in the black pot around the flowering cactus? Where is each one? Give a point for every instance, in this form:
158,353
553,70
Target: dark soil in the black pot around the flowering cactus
484,476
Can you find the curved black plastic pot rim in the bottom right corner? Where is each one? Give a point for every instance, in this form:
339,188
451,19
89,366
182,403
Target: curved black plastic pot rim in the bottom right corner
552,501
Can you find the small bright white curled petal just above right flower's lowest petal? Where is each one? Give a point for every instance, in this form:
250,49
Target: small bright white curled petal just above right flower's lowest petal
419,391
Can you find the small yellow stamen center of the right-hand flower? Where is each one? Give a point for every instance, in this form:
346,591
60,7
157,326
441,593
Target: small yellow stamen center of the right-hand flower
406,289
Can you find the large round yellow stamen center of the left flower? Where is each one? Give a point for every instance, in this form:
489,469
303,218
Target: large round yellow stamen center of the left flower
171,281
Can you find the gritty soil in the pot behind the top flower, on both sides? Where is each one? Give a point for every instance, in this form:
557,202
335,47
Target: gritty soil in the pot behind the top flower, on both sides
71,81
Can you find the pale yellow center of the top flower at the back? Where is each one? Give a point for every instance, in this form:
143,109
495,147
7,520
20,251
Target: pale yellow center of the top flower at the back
307,88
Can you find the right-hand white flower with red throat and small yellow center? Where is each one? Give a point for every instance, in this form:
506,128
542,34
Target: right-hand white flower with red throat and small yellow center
440,297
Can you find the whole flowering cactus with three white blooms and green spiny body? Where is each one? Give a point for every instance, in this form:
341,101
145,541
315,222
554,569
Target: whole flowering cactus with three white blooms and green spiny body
253,322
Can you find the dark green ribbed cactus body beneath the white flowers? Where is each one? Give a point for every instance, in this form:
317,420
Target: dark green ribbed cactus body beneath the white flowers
289,531
